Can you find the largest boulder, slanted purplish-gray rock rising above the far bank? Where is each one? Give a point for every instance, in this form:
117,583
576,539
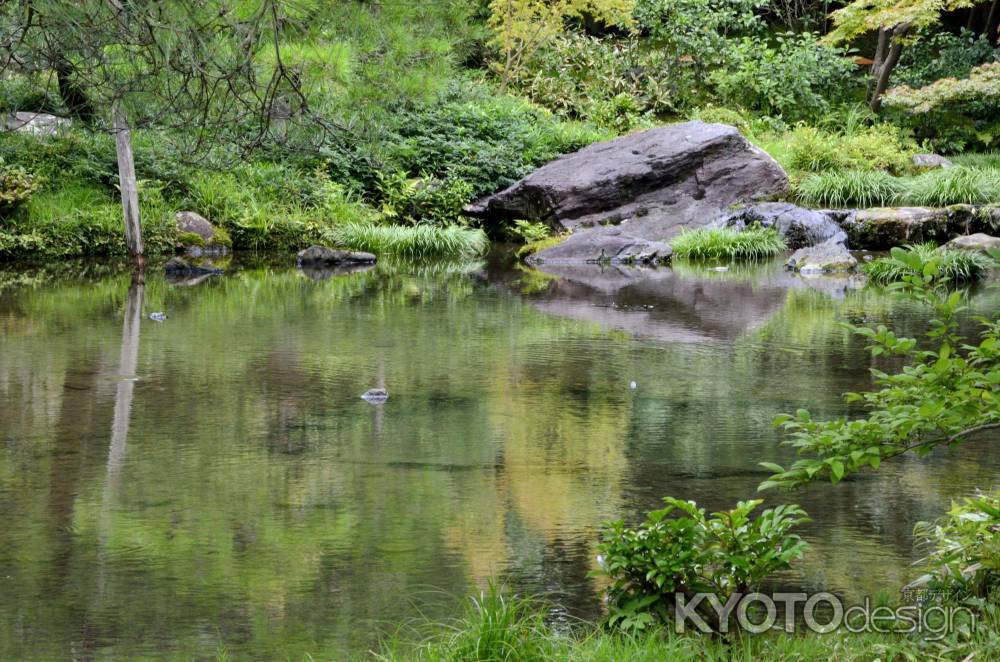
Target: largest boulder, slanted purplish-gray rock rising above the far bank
652,184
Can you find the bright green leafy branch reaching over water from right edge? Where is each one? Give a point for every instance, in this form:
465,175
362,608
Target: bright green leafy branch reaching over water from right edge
941,397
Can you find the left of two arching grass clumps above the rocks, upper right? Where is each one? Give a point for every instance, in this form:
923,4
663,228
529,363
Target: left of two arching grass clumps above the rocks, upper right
838,188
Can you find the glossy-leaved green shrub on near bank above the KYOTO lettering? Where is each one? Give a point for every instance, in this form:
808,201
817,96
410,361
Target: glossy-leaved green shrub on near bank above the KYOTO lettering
724,553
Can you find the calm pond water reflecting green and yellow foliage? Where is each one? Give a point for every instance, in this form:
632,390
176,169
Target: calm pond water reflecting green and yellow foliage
213,482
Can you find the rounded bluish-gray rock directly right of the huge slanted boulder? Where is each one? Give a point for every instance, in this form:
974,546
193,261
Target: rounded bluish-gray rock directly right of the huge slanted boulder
798,227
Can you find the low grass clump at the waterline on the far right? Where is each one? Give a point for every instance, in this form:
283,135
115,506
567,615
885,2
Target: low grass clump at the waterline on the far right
954,266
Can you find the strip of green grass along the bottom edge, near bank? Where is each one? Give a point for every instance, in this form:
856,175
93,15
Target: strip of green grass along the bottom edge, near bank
498,628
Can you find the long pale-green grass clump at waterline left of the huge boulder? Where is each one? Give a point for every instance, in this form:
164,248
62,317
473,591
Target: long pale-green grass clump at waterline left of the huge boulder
414,242
